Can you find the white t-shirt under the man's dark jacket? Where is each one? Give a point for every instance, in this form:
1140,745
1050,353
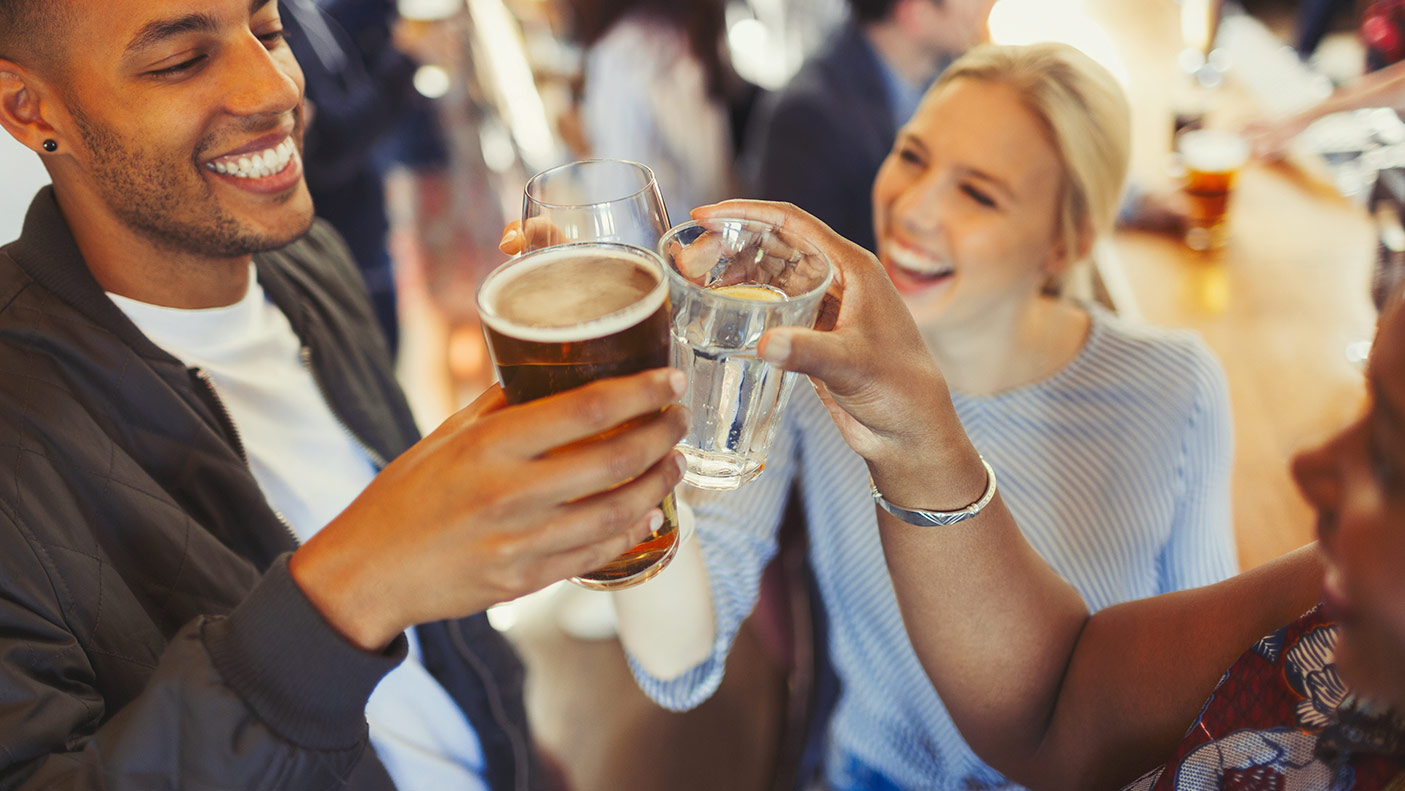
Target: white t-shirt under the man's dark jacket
311,469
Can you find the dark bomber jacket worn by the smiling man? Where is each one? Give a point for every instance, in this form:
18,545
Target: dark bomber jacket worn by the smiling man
151,636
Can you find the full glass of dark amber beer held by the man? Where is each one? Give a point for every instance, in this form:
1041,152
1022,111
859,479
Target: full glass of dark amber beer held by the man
568,315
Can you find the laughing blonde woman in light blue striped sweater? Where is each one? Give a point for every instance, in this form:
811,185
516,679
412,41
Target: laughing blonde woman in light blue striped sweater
1111,440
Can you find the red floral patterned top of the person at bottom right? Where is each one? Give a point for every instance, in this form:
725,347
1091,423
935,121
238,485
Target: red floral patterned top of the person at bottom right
1281,720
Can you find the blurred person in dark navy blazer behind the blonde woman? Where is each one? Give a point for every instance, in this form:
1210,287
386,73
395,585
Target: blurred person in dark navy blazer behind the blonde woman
820,140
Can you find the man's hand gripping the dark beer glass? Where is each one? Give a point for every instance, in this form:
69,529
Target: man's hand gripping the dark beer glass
498,502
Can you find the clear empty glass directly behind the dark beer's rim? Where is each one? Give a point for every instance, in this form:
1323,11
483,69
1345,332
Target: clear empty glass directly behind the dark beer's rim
594,200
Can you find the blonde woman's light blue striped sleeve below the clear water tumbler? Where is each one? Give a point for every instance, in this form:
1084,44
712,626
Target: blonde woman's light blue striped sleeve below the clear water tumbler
738,539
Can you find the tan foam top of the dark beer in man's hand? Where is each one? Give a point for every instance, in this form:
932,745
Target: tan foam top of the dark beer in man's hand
574,293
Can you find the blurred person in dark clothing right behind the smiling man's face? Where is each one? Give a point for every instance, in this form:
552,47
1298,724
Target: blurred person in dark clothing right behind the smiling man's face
365,115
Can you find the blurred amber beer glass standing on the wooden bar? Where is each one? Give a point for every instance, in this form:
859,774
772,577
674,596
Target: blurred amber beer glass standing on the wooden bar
1212,161
